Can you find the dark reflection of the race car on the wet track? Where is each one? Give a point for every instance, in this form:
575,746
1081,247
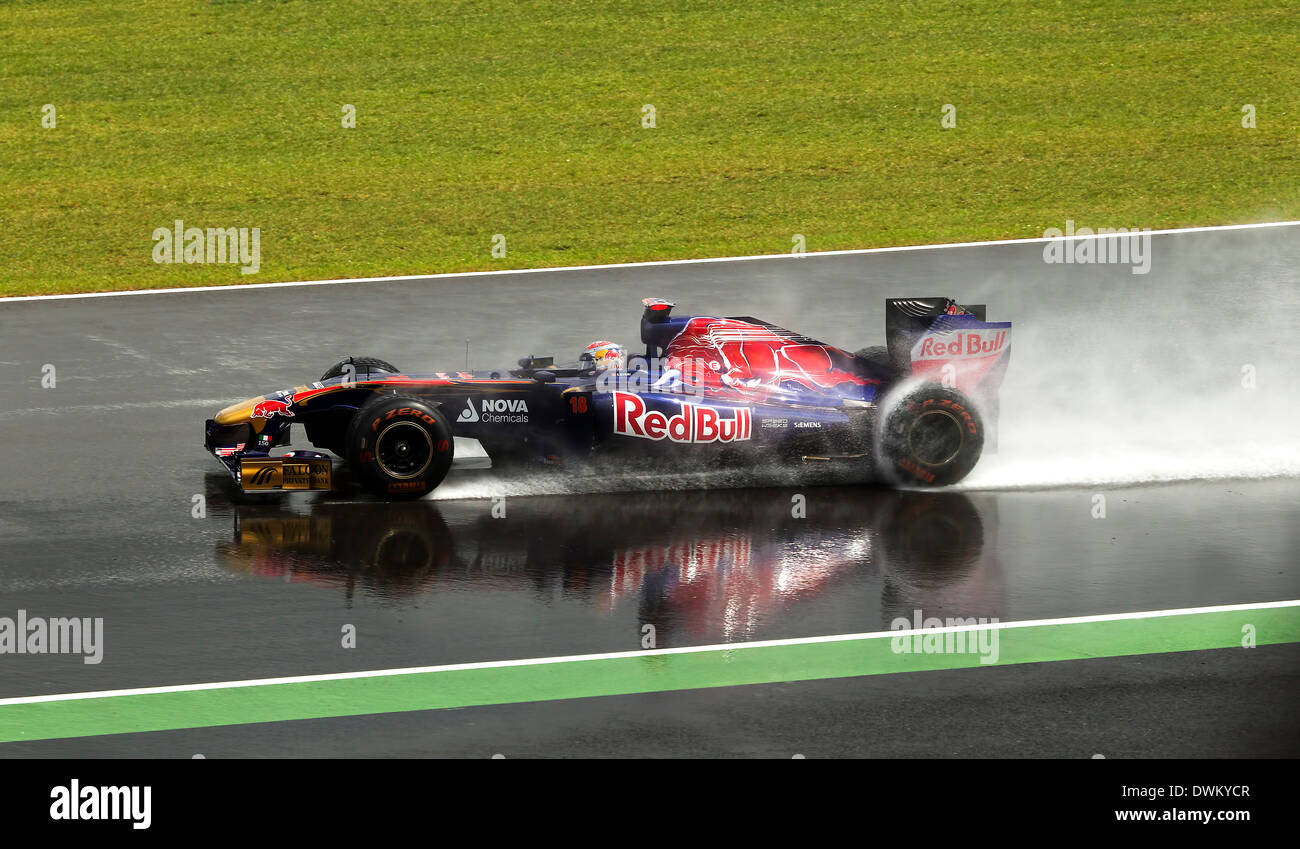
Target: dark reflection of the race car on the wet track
703,561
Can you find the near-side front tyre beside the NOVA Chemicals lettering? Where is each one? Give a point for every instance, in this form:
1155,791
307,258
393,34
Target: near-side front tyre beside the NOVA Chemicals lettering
400,448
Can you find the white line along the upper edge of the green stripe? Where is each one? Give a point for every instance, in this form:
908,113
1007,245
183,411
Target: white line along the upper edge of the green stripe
613,656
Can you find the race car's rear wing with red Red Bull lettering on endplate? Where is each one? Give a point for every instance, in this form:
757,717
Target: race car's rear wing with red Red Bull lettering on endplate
939,340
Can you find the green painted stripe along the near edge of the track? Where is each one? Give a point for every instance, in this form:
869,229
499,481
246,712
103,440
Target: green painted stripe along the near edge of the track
644,673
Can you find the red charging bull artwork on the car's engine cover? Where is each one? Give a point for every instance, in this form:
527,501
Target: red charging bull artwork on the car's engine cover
727,354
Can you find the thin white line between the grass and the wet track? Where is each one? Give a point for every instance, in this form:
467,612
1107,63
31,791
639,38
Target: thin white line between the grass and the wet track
647,265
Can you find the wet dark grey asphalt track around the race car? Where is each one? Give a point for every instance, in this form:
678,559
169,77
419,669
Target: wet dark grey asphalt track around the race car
96,521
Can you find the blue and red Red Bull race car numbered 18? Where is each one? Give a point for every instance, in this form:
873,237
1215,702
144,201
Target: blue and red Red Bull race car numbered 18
917,411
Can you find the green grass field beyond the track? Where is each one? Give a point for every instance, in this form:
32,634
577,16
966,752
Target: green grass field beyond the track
525,119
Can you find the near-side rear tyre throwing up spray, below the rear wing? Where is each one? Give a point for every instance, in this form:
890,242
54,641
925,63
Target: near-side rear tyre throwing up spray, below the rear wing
930,436
